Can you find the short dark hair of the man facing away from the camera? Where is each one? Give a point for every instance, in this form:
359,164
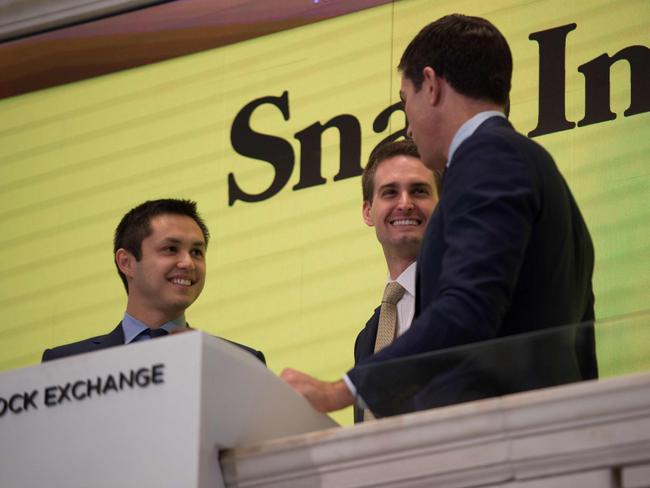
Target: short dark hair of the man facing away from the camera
468,52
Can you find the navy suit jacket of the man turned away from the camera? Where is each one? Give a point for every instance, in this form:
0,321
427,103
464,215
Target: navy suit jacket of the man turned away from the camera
505,252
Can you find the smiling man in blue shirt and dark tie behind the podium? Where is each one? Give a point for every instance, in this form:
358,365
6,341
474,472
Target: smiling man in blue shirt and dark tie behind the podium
159,249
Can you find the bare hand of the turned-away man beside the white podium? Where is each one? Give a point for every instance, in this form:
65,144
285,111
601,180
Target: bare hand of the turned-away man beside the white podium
324,396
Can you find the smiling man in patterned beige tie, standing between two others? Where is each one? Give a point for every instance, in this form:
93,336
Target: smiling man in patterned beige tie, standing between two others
399,195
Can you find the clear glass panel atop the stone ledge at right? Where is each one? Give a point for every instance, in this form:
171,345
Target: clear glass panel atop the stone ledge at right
507,365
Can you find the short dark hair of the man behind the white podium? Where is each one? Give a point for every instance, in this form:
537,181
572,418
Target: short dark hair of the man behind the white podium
135,226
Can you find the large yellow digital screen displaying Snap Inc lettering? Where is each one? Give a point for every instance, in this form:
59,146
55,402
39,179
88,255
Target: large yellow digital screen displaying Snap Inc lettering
269,137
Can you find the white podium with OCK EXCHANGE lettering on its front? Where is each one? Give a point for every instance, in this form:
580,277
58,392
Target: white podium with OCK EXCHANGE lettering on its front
150,414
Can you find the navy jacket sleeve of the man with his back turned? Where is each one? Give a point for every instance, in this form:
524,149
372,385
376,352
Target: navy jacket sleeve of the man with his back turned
488,207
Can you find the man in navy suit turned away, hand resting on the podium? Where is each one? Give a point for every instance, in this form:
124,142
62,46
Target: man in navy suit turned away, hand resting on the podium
507,250
